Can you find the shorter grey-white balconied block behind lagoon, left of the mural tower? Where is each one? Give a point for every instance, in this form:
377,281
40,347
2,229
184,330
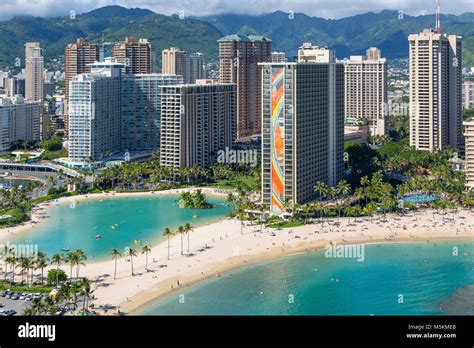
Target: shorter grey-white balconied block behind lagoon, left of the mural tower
197,121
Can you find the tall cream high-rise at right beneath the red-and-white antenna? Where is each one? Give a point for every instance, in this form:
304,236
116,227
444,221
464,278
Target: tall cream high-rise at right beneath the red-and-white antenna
435,91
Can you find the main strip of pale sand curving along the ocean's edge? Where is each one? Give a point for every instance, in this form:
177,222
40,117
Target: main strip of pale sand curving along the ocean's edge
142,289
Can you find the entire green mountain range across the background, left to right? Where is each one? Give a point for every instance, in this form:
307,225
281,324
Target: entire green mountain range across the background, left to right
349,36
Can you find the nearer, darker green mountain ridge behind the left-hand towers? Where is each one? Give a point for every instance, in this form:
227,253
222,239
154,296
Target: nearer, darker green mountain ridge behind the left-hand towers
115,22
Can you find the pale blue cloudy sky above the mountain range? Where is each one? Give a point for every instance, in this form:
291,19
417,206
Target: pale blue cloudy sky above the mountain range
319,8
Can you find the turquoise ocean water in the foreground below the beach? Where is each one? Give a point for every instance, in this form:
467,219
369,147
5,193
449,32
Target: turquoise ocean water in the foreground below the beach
431,280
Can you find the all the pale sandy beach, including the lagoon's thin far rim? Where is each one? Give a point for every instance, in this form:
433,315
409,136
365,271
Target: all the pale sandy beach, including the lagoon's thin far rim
219,247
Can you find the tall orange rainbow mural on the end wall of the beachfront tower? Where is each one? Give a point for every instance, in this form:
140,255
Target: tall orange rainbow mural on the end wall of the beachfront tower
278,143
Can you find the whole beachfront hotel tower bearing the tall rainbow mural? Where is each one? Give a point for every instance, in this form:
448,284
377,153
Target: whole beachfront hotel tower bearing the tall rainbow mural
302,127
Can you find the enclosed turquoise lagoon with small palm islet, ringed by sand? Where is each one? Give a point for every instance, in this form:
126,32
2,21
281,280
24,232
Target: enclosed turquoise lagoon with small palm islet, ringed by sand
75,225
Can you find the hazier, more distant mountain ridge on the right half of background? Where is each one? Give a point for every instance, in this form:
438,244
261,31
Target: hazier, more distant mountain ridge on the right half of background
350,35
